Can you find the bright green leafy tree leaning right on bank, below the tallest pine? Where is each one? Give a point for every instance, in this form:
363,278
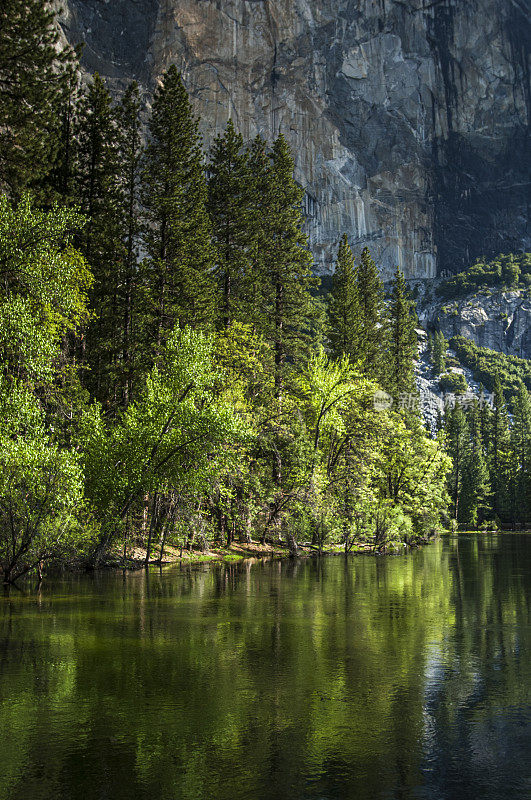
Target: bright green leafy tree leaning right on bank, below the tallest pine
172,439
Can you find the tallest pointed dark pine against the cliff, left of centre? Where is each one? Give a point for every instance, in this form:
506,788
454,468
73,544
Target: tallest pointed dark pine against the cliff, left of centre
177,274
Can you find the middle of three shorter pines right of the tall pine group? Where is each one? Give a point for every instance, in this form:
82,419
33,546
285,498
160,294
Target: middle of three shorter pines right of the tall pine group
370,293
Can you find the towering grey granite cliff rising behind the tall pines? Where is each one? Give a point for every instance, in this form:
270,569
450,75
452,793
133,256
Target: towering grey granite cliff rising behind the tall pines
408,118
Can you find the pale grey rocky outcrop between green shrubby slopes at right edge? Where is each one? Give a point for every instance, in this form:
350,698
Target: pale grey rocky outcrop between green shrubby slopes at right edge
498,320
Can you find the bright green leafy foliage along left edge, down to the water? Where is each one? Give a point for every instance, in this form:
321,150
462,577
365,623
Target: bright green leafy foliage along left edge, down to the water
42,300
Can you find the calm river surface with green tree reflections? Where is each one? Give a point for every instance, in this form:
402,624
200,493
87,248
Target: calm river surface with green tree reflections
395,677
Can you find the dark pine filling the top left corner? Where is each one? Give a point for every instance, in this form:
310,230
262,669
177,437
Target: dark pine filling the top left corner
34,72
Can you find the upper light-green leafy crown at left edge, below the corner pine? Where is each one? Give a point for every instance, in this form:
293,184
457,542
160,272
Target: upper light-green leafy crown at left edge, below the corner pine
43,289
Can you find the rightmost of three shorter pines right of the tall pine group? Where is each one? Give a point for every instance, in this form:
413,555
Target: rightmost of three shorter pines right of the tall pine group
401,340
